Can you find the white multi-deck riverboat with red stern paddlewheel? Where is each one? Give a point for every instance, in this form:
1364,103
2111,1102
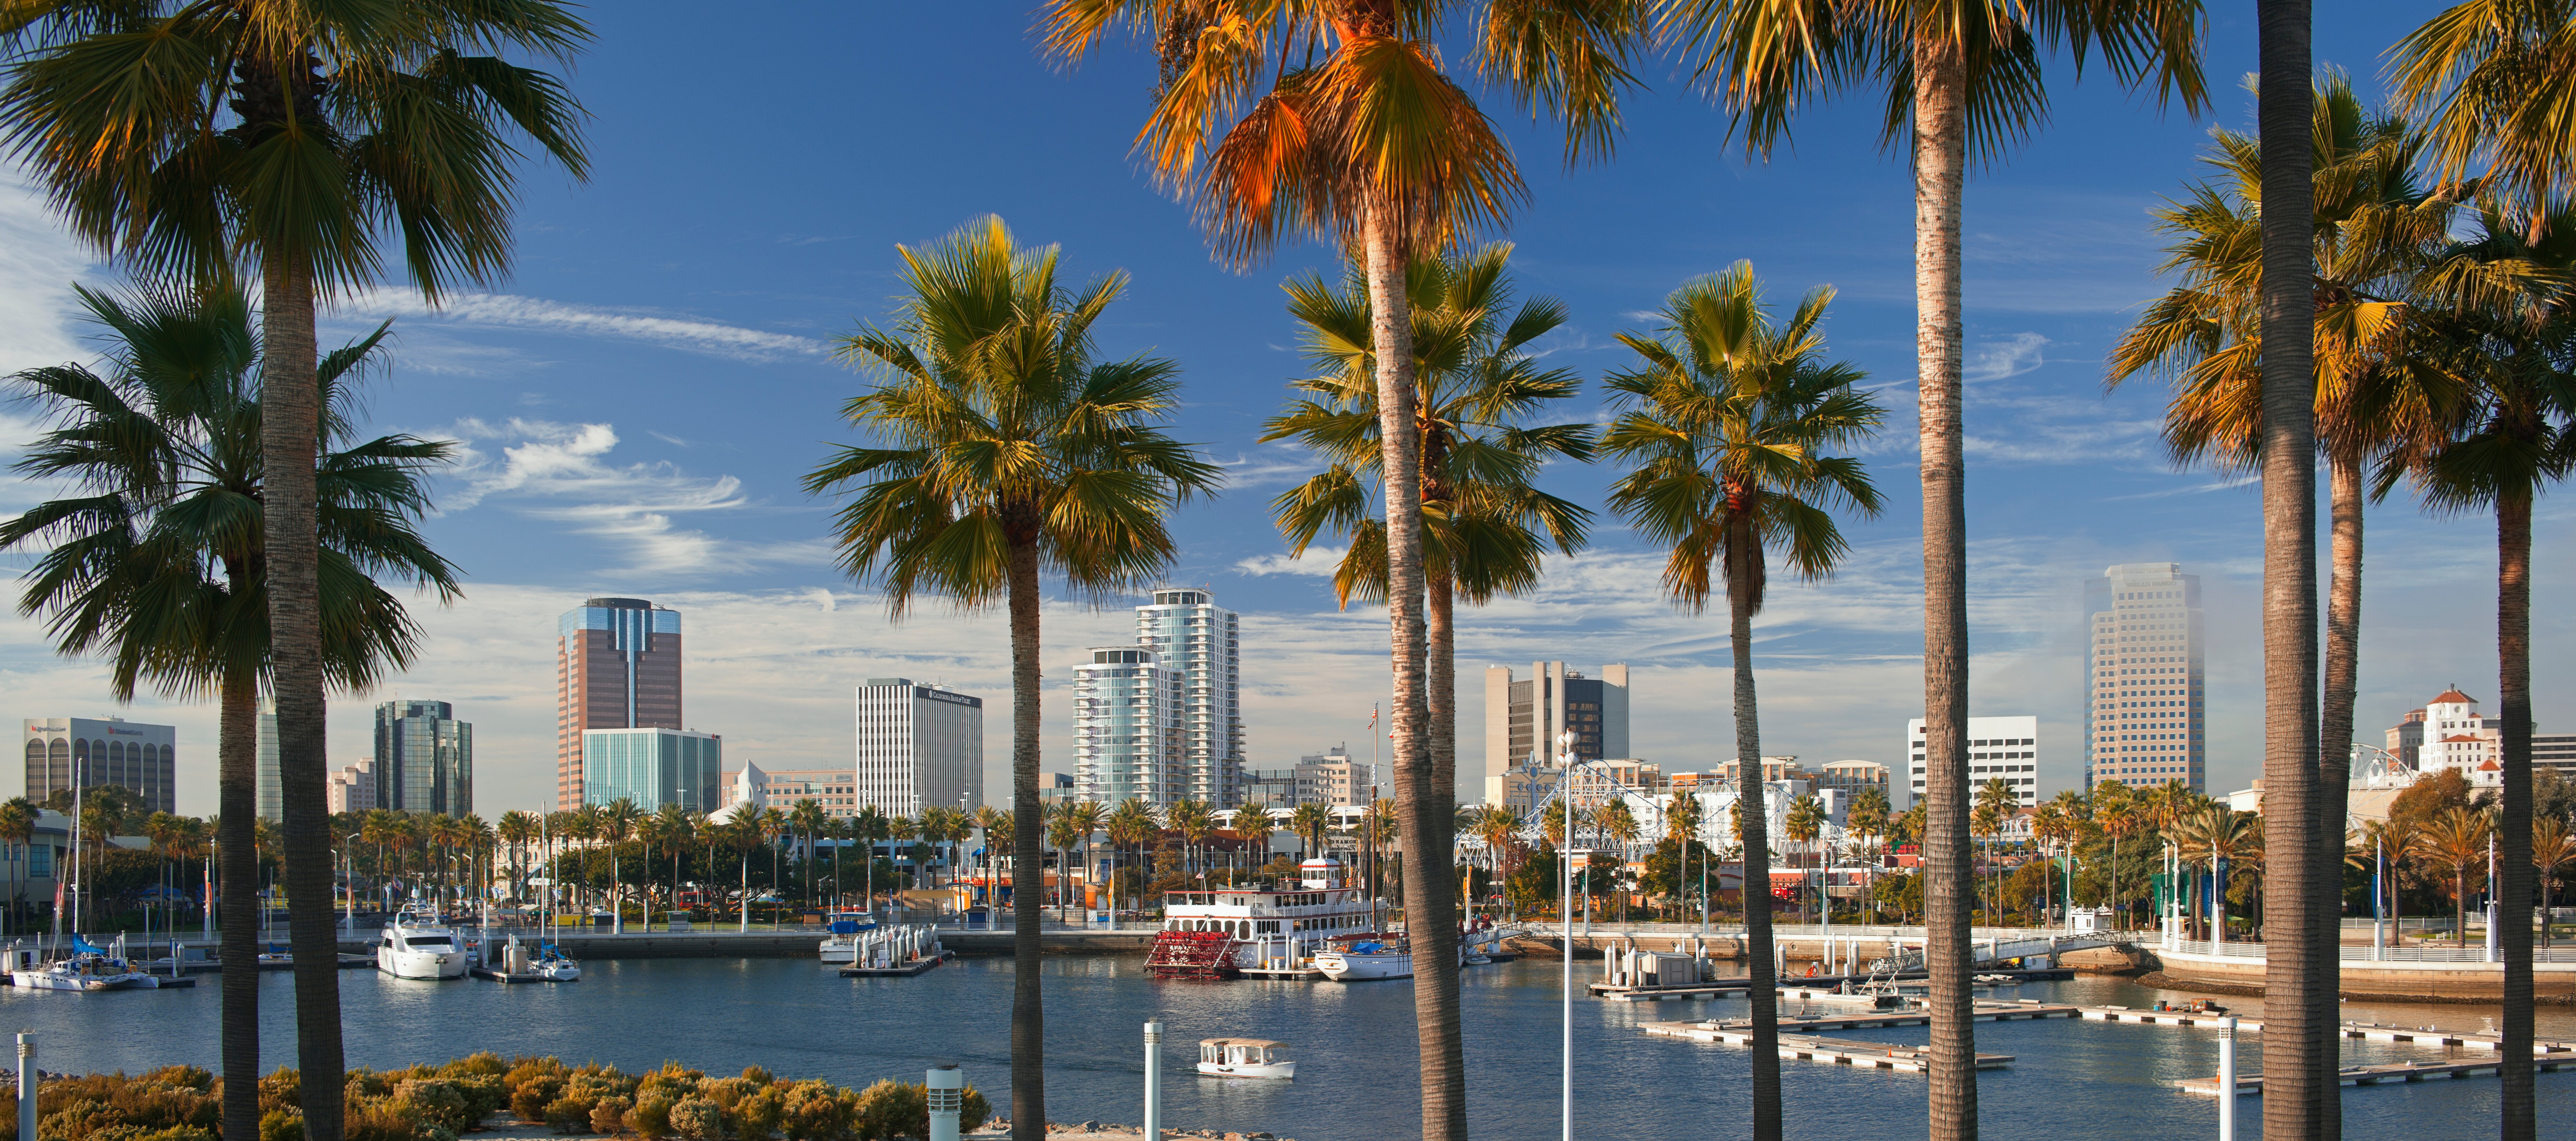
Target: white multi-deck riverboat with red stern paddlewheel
1230,931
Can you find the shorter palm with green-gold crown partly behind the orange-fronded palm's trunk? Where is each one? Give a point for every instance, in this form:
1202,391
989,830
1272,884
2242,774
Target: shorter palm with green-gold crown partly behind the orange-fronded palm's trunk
1475,393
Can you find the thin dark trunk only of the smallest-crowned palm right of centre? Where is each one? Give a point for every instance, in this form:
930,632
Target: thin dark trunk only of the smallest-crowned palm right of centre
1763,988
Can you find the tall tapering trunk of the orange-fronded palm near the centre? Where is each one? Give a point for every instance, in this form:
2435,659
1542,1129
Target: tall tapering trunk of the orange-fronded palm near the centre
1431,905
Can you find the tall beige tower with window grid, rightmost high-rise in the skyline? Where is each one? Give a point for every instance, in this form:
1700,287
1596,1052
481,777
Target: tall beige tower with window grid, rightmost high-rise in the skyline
2145,707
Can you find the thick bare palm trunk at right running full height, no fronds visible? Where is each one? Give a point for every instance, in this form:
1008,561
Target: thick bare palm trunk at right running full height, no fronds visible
2294,1060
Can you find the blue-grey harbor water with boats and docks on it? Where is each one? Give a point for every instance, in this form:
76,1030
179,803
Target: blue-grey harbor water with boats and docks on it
1354,1047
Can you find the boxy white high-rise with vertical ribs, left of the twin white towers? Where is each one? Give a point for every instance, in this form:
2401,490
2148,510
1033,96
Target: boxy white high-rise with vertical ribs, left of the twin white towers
918,748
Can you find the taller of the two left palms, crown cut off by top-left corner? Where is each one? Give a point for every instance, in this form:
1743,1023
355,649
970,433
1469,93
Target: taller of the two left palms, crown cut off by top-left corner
346,125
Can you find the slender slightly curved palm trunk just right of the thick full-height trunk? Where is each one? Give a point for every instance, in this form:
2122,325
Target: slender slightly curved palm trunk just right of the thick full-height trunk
2335,771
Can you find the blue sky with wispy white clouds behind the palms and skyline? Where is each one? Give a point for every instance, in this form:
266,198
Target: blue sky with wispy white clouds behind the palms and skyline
643,395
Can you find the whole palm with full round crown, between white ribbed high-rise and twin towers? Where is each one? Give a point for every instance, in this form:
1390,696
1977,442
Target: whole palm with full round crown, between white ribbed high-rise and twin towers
1088,488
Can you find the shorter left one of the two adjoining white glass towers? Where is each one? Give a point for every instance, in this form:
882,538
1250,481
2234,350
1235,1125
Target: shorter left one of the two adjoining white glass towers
1127,728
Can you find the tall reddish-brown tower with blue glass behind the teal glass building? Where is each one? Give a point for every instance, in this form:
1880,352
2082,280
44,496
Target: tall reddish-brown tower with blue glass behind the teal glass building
617,666
